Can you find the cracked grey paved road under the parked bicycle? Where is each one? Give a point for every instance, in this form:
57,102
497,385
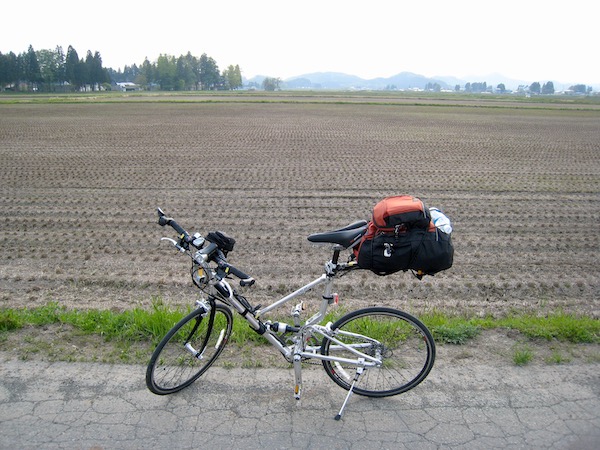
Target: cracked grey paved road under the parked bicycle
96,406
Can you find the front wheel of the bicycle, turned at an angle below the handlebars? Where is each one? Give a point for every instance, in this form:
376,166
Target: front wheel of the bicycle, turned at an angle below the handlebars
173,366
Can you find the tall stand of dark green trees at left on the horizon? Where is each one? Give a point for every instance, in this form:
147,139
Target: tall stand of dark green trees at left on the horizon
53,70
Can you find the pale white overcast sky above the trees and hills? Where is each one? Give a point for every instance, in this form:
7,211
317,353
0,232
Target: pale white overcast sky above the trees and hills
527,40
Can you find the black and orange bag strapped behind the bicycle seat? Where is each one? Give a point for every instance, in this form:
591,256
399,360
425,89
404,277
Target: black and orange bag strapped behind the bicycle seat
417,245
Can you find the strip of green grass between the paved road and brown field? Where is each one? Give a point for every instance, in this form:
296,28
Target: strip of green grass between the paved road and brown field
150,325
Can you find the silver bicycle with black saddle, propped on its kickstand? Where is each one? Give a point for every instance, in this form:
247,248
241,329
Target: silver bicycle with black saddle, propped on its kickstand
374,351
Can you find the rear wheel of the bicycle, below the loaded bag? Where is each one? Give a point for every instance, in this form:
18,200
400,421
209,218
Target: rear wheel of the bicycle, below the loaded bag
404,343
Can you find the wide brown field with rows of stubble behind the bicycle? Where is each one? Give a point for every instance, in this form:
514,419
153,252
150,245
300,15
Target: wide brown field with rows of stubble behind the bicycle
81,178
